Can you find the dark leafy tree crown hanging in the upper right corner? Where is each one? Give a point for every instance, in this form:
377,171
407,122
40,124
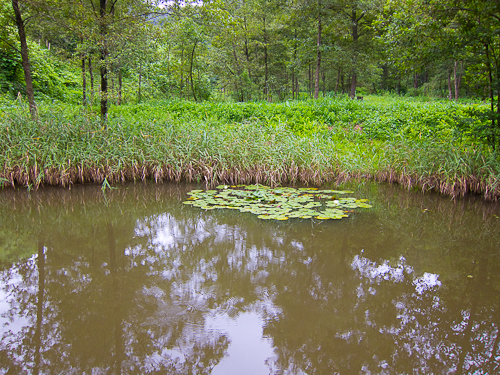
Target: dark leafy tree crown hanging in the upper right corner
460,35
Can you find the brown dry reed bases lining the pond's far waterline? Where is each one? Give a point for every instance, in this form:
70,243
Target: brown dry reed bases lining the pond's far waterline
199,172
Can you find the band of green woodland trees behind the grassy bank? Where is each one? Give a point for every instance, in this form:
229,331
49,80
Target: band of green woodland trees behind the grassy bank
252,49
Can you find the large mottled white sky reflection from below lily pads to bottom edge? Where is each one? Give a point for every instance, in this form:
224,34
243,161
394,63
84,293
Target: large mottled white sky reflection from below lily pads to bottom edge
249,352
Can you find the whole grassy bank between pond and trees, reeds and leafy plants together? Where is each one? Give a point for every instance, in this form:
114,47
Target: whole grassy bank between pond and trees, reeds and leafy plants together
430,145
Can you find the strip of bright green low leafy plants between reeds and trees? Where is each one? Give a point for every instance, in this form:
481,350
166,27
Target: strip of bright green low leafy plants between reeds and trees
377,118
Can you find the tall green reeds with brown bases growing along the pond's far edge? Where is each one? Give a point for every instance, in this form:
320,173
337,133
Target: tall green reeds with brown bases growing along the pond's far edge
67,146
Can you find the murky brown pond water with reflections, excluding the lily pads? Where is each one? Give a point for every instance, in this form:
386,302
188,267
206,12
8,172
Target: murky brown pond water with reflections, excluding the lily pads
134,282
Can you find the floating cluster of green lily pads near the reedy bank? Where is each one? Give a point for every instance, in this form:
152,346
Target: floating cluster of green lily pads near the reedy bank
281,203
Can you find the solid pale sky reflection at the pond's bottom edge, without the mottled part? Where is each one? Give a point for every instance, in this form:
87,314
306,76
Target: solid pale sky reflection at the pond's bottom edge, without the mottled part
249,352
